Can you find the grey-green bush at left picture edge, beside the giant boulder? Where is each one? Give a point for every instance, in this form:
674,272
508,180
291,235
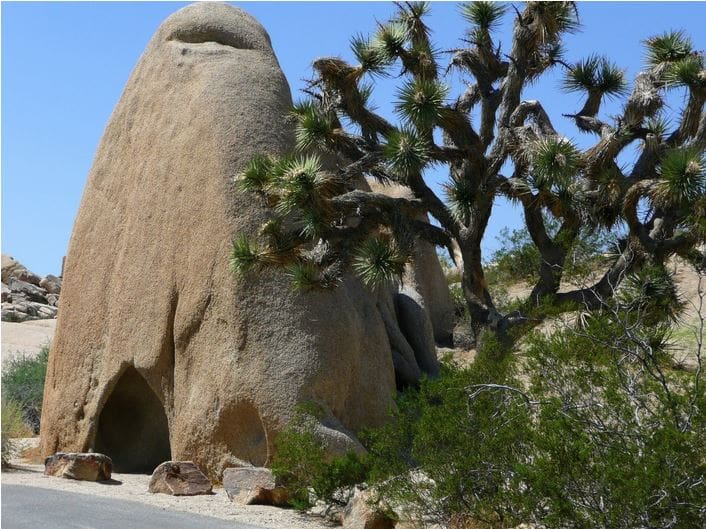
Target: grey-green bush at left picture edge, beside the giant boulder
23,382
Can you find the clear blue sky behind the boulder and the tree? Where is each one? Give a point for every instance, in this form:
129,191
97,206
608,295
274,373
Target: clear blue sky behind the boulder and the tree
64,66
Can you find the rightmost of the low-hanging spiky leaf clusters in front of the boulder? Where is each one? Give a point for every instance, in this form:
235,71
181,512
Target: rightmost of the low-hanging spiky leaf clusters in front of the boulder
379,260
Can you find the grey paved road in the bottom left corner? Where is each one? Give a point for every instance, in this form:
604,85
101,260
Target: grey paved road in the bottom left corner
36,508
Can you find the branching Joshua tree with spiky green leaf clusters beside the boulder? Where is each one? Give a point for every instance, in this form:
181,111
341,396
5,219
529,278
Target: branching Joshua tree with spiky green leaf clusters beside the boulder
326,220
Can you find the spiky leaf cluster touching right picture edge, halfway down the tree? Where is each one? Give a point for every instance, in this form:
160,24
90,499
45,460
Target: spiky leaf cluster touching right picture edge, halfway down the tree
682,179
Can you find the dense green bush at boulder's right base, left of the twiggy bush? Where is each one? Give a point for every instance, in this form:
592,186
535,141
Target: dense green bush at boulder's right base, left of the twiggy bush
451,448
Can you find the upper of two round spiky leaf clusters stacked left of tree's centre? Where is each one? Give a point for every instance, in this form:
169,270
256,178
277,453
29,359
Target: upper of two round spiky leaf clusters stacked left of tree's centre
420,102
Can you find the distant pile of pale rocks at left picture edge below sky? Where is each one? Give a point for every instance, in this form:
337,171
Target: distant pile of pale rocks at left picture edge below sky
27,296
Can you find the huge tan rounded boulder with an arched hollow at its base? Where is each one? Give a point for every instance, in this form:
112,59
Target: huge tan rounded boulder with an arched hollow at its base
160,352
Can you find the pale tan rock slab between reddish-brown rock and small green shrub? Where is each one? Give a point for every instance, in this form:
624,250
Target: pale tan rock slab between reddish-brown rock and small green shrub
253,486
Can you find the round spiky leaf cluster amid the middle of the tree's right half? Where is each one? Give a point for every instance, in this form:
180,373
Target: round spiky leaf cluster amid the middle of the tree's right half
555,162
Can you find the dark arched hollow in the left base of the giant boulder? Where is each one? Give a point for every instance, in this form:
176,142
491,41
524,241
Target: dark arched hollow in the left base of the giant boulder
132,427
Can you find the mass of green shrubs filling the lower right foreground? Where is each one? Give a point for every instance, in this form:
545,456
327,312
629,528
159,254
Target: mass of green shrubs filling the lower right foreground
586,428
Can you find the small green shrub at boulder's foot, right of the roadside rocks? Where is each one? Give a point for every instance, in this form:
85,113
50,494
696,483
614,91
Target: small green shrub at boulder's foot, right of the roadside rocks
303,465
